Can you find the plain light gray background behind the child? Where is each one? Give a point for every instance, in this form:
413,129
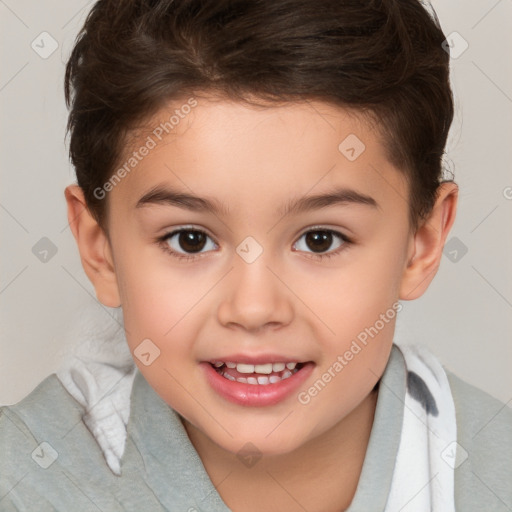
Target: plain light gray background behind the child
466,315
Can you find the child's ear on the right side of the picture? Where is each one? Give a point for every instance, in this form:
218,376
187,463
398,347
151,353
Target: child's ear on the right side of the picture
426,248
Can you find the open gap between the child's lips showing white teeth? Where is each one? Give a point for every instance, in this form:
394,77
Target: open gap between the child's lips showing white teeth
257,374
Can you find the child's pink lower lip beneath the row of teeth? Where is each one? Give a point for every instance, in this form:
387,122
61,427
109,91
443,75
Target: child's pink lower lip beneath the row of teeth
256,395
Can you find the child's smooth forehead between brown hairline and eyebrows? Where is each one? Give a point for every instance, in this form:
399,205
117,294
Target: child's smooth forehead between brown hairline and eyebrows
244,154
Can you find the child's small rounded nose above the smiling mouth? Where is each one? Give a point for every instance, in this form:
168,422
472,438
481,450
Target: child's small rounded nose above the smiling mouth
255,297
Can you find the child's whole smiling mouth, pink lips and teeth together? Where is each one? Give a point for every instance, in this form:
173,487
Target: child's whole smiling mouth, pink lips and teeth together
258,385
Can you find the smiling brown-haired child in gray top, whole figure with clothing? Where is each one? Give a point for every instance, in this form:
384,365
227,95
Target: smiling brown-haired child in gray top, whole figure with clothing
259,186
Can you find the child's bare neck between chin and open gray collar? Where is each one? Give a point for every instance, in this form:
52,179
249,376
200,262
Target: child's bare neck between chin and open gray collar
321,475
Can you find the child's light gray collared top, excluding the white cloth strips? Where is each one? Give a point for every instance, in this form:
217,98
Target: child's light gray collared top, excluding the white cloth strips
50,461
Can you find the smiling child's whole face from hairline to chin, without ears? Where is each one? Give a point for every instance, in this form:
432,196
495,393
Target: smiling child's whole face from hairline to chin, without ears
228,302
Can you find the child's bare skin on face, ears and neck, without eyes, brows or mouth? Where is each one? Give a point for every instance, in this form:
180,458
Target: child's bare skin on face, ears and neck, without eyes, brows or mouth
255,160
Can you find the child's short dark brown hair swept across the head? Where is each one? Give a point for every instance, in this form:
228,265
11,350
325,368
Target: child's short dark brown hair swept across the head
382,57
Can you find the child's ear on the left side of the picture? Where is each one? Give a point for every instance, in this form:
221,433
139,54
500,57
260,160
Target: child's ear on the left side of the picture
94,247
